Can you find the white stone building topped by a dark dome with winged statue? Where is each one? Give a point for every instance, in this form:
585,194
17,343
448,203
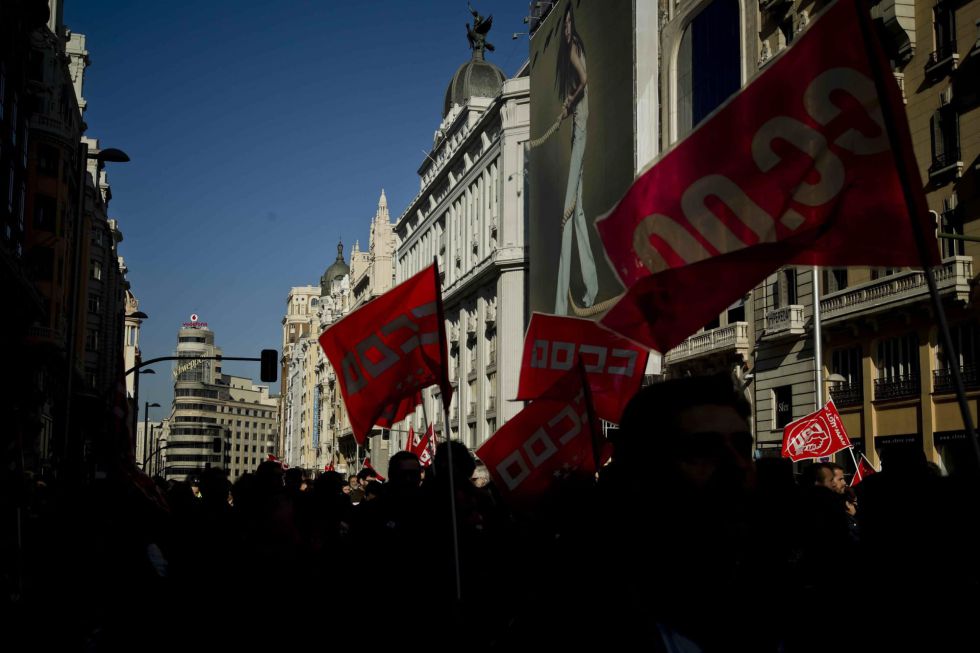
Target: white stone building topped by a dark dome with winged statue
470,215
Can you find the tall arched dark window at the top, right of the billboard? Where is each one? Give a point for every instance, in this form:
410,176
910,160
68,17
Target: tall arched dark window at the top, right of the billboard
708,63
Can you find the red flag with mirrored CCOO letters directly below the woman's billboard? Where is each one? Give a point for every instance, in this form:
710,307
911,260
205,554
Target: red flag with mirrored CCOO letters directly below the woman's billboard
613,364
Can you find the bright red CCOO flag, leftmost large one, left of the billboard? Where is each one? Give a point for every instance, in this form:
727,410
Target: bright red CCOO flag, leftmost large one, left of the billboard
388,350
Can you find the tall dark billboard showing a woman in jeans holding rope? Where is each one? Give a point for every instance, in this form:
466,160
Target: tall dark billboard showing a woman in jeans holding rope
580,157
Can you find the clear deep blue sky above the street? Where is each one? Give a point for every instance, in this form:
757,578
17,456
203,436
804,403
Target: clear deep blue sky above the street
259,133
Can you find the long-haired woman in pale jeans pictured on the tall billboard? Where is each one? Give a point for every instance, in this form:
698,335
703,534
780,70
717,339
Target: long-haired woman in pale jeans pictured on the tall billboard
571,80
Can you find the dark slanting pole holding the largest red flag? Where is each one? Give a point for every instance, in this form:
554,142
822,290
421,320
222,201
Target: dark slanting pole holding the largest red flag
906,181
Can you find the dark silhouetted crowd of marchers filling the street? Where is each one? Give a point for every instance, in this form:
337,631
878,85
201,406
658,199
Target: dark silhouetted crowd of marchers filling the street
683,542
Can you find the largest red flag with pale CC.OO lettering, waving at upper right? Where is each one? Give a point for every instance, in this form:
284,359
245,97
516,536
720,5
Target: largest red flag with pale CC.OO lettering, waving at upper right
805,175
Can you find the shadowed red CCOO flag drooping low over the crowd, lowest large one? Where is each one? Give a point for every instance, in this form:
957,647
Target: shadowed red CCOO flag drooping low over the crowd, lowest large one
549,439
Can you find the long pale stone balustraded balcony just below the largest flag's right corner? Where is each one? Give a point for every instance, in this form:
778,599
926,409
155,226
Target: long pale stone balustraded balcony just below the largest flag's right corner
952,279
